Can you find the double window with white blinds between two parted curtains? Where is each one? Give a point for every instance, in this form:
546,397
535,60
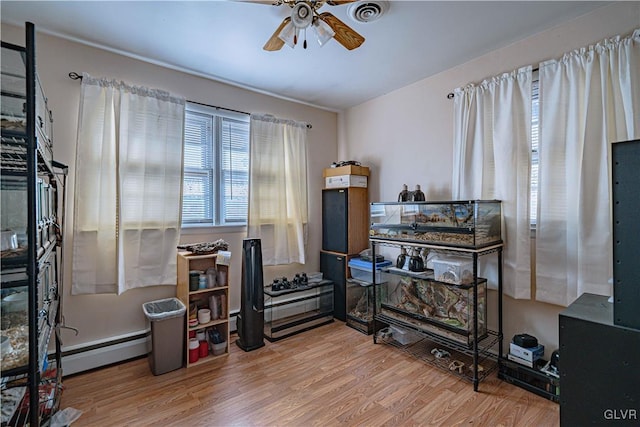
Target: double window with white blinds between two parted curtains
216,167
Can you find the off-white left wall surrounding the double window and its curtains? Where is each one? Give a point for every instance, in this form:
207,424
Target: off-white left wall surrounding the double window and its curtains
101,317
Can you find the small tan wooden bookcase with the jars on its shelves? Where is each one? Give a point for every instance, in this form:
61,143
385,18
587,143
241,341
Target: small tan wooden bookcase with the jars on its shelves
207,307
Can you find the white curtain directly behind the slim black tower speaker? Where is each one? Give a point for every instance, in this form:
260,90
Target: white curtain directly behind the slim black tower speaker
278,206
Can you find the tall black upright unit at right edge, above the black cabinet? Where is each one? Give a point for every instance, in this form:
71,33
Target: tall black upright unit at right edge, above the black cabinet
626,232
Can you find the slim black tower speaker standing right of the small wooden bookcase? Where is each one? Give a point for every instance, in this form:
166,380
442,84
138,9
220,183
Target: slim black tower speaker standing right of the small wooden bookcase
250,321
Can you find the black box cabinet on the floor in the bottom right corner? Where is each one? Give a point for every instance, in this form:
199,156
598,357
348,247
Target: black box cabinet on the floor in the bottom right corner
599,366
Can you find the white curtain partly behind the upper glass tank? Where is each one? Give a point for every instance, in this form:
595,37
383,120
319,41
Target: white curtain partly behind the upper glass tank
492,149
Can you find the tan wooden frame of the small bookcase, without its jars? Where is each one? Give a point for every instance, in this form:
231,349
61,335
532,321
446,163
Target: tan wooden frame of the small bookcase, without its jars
200,299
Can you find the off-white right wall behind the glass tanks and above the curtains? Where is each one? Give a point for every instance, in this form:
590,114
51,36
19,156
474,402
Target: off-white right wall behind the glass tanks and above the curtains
406,136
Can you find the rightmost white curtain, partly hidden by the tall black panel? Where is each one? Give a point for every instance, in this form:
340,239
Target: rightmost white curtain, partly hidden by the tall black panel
588,100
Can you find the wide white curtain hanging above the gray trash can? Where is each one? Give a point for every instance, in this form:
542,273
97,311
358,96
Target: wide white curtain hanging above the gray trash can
128,185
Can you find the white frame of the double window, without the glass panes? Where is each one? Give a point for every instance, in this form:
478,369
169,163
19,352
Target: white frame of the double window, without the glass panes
216,172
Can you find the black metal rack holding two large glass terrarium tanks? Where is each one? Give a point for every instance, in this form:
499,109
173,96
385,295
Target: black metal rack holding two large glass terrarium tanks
468,229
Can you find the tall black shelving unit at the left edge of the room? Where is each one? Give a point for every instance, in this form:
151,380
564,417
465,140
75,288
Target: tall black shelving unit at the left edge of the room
32,189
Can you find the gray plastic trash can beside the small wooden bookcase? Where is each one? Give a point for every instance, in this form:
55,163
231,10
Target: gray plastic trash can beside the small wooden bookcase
167,334
